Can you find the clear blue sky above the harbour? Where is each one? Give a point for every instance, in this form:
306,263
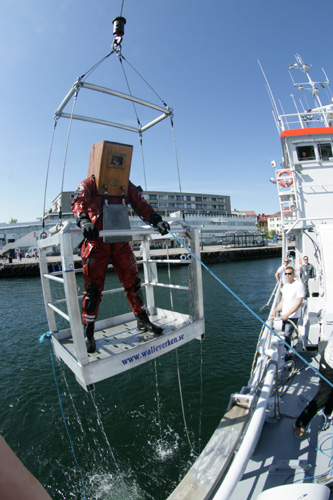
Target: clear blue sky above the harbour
201,58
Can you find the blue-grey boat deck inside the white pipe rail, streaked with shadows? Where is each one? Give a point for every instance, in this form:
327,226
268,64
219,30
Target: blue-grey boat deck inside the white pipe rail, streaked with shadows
268,466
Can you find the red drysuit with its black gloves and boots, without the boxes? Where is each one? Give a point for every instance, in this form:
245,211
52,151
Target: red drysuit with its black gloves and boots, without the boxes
87,207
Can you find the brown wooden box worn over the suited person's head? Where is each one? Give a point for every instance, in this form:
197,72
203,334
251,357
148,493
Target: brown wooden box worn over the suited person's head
110,163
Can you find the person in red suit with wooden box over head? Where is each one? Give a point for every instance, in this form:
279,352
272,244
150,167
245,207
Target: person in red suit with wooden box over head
93,212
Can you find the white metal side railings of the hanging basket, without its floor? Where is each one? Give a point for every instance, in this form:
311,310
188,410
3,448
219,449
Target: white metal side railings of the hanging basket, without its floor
65,240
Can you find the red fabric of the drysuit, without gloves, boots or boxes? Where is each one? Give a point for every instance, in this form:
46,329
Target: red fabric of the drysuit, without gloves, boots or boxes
96,255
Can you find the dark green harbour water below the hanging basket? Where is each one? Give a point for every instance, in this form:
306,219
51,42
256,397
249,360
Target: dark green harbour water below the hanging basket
128,435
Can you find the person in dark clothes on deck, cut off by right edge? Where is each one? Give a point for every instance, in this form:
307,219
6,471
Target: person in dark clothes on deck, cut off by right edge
324,396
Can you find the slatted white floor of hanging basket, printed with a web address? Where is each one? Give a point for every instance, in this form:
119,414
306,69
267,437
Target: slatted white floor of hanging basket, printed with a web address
121,346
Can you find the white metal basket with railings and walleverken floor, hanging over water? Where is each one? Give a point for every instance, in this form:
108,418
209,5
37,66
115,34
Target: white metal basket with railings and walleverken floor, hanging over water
69,343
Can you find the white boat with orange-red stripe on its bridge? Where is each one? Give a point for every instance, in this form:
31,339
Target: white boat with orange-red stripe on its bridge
254,453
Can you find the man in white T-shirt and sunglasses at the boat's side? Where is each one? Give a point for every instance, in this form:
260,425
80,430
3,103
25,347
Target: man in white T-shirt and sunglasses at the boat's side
293,293
